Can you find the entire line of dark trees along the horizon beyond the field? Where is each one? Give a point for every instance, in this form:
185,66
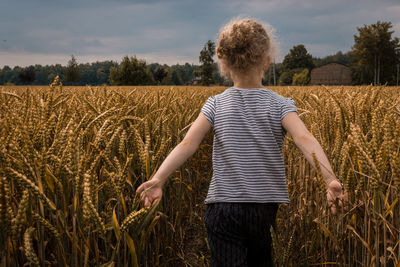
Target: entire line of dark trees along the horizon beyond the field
373,59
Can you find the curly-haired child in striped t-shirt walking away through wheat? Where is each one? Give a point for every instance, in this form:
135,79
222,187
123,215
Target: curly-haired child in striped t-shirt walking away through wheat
250,123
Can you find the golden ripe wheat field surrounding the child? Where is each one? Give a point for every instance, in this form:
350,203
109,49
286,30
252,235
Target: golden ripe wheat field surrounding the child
71,159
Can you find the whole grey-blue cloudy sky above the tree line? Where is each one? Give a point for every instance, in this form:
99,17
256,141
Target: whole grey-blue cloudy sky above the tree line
172,31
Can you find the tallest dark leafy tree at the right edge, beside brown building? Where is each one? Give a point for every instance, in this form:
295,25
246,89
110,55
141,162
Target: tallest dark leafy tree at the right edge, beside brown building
375,56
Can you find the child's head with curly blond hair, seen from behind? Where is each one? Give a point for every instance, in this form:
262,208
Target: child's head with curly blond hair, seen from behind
245,45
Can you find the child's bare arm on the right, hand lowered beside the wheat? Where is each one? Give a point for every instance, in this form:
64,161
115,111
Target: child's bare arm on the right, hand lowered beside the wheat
307,143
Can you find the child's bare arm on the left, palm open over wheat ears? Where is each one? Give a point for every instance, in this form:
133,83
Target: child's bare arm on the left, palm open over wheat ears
152,189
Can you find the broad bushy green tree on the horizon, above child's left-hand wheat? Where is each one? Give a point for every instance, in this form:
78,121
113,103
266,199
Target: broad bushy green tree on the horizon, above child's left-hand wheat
131,71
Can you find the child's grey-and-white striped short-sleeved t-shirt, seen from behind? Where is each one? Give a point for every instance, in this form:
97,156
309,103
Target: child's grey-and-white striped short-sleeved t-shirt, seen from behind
247,149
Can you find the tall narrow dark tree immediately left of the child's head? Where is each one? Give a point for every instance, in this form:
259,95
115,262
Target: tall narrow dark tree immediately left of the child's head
207,63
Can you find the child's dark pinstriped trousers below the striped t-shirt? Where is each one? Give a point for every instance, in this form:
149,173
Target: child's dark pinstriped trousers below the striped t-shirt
239,233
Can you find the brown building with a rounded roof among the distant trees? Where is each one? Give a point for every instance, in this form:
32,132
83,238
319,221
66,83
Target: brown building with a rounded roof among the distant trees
331,74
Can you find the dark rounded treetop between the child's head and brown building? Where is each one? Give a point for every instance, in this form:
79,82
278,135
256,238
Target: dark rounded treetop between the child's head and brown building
298,57
